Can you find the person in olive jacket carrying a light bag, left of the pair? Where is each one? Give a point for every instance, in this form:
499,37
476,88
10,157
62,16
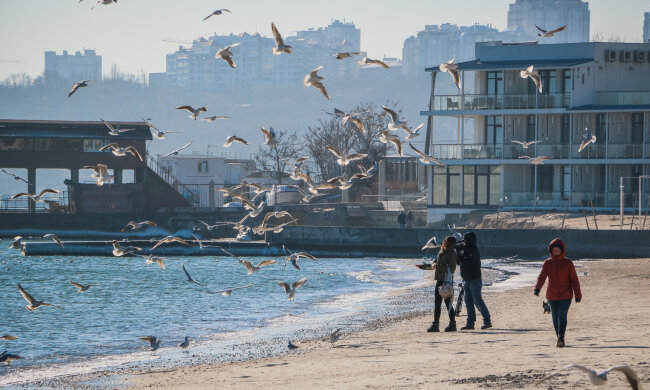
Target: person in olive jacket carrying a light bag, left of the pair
446,259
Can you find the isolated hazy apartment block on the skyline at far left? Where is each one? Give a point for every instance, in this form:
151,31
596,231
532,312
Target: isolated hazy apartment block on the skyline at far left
69,67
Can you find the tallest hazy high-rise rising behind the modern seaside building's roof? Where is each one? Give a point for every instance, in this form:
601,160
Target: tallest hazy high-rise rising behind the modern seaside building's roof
525,15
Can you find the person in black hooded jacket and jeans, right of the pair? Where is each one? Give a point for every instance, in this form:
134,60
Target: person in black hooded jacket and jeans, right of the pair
469,259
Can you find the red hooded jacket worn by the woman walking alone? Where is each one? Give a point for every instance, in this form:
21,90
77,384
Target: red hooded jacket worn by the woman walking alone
562,278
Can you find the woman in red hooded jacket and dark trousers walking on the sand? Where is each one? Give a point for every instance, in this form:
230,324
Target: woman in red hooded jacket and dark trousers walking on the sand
562,284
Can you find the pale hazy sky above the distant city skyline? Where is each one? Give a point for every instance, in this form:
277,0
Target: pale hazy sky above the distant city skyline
130,32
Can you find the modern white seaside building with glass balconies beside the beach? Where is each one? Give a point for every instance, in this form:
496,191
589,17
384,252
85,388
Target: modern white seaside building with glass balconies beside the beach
604,87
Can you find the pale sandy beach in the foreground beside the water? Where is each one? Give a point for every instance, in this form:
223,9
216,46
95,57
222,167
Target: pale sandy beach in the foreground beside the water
609,327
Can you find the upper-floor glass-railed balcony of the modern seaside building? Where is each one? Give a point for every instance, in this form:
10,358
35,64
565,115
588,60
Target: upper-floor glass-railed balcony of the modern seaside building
499,102
